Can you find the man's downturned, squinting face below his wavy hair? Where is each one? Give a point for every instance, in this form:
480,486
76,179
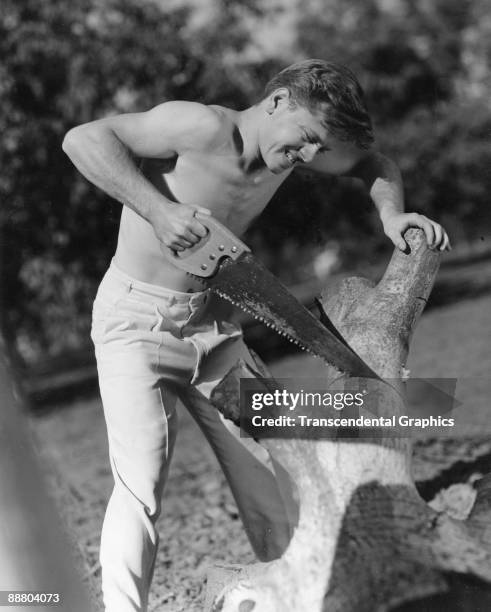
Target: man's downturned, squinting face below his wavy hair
293,135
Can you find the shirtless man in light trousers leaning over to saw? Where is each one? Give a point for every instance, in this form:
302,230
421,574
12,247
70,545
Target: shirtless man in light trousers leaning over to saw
158,336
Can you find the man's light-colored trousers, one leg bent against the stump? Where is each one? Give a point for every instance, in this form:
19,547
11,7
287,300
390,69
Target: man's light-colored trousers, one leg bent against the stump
153,347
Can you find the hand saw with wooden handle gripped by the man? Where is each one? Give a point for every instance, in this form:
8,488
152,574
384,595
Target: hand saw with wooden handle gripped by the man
228,268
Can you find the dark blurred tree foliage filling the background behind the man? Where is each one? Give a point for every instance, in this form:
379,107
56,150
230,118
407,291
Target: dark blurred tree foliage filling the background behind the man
424,67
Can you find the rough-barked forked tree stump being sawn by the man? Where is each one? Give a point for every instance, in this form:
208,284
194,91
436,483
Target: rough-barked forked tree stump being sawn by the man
365,539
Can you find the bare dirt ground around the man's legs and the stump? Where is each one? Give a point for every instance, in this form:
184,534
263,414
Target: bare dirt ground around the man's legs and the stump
199,524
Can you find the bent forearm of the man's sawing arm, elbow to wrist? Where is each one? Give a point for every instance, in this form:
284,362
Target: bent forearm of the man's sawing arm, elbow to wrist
107,163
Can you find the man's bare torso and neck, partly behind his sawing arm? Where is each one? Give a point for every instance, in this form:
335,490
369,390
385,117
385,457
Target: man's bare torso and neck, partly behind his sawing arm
208,176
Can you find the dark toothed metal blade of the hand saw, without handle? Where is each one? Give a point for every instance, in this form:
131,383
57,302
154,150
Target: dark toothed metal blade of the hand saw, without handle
247,284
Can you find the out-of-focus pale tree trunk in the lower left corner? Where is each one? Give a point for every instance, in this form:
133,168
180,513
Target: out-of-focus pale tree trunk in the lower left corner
34,555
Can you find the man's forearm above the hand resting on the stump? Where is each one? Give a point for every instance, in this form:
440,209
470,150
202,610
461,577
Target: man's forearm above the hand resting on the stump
384,183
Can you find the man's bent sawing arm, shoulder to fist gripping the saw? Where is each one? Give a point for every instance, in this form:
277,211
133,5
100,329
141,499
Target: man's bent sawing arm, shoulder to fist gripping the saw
104,151
